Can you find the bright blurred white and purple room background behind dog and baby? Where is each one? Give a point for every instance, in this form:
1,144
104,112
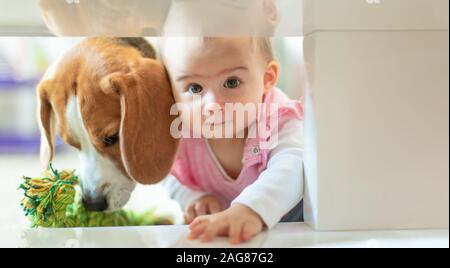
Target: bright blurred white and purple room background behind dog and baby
23,61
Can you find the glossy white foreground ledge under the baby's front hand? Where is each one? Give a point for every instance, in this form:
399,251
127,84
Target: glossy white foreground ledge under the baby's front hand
283,235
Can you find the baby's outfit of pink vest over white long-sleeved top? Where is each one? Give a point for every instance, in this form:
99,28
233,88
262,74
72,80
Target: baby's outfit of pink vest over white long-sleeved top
271,180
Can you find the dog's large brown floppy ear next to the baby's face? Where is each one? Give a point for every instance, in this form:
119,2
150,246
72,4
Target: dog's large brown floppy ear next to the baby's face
147,147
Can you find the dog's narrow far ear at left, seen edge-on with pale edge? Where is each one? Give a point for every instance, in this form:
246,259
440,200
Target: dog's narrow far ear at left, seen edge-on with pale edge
46,119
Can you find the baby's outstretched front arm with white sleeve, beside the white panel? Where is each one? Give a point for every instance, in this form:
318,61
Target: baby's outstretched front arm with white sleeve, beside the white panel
276,191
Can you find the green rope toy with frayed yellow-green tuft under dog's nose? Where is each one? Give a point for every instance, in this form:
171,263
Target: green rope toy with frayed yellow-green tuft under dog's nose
53,200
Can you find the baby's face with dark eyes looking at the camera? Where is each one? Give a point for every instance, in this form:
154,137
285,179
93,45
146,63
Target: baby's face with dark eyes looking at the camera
208,74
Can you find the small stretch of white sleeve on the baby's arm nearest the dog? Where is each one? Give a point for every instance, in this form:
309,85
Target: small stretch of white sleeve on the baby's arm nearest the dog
180,193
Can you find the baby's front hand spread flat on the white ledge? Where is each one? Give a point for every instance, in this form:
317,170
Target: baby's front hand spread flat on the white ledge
239,223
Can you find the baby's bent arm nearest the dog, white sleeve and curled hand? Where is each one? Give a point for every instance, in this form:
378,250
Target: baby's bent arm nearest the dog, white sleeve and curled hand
193,203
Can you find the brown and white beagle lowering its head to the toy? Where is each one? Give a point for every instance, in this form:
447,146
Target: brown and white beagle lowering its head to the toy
110,99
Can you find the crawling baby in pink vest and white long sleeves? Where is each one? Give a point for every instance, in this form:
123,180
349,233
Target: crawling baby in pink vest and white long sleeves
247,175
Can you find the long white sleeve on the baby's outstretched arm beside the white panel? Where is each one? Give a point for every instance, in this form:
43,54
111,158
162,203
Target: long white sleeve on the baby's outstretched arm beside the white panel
279,188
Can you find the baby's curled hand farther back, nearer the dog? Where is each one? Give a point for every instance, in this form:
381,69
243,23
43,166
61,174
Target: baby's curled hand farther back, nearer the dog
205,205
